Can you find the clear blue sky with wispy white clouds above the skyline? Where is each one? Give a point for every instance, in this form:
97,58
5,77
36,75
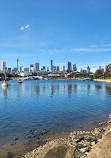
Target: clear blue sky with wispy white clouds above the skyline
63,30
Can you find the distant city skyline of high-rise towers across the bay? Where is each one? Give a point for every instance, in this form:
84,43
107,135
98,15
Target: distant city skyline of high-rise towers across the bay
35,67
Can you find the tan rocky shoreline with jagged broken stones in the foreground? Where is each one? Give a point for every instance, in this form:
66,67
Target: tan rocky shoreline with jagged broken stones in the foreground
79,144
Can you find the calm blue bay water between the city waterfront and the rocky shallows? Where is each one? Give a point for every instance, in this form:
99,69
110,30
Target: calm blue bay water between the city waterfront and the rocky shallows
51,105
